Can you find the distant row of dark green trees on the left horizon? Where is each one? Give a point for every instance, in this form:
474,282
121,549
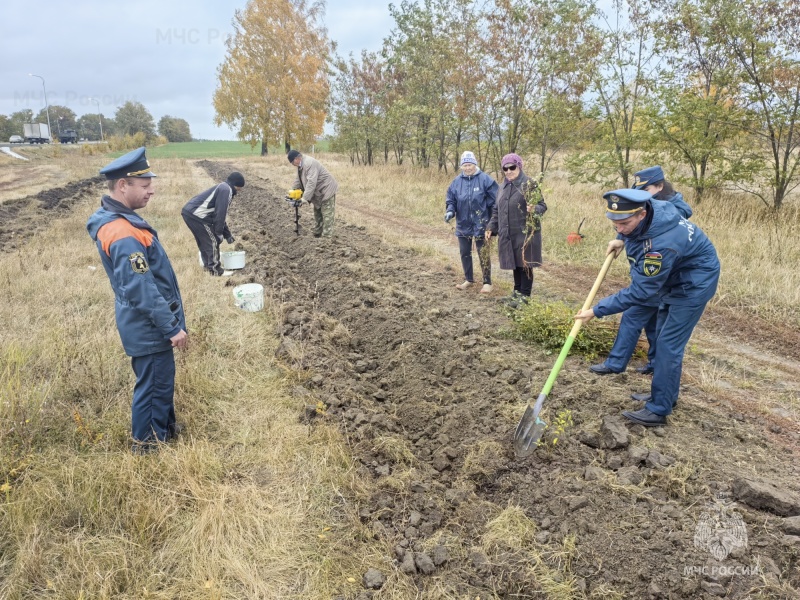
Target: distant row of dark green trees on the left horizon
129,119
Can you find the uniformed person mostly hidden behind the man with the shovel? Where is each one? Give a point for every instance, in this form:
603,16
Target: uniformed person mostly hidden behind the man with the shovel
643,316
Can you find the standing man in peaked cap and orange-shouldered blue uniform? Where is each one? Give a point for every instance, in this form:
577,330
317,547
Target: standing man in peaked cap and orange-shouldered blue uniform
148,306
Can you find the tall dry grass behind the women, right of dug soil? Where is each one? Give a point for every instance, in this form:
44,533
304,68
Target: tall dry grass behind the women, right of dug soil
756,247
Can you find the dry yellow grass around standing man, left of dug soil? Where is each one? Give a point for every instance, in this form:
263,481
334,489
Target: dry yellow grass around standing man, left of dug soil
249,504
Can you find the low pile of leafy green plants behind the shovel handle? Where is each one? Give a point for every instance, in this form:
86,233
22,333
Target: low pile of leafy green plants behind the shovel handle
548,324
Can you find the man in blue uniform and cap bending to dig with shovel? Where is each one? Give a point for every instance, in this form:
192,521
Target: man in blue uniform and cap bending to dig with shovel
672,262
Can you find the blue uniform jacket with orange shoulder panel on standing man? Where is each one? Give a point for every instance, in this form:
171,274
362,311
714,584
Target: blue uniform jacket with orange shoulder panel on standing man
148,305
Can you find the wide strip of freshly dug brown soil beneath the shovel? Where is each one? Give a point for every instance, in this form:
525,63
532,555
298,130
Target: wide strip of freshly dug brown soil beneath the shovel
429,390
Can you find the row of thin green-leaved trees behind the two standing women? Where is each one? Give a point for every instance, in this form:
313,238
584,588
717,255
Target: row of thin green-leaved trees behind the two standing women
709,87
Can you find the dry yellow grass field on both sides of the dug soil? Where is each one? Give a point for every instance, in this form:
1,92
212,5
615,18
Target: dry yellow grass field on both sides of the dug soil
82,518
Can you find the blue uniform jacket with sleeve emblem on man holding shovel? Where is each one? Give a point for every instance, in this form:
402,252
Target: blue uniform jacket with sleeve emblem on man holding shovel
672,262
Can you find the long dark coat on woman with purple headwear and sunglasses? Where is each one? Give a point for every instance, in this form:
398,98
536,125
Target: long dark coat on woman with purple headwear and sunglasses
519,233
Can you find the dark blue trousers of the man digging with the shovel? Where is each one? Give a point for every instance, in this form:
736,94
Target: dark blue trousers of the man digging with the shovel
674,328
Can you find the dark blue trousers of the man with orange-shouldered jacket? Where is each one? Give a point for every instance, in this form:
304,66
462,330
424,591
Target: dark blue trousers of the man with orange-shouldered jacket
153,408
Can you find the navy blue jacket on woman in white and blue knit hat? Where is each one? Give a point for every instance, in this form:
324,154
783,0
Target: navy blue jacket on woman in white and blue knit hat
471,198
